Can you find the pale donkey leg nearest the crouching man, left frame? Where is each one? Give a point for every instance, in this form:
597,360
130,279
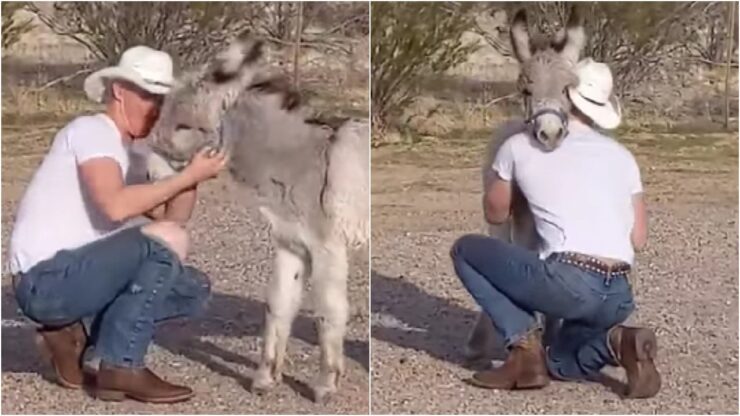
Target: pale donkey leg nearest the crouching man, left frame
283,301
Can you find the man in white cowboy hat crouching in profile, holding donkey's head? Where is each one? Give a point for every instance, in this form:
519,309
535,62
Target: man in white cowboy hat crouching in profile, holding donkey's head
78,253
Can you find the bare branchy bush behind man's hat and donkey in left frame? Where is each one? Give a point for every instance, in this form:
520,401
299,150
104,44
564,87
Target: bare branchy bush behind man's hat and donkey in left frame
190,31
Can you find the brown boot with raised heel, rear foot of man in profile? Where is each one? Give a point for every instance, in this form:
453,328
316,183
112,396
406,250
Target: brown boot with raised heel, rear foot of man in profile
63,347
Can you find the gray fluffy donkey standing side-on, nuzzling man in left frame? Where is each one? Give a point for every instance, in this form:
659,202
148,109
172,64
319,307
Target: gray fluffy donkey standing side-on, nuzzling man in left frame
310,180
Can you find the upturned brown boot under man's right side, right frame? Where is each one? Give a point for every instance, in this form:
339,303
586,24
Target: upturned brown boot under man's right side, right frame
635,349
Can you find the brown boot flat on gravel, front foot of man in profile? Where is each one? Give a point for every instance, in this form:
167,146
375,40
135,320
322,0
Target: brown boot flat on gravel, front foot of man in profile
118,383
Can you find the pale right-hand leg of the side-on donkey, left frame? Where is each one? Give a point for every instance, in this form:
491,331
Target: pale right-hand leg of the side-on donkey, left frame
330,270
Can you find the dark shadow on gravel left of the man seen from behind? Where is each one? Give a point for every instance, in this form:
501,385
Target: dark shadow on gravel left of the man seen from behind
417,320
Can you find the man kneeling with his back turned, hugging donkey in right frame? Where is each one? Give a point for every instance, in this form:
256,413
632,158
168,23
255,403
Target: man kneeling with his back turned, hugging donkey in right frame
587,201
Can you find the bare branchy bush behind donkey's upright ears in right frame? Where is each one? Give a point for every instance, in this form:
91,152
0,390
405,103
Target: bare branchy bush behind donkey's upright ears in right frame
639,42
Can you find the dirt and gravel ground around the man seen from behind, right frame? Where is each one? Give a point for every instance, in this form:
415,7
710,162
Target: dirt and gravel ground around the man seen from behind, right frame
427,195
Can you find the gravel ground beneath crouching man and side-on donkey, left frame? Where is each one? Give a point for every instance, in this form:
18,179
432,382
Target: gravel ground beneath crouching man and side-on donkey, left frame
216,354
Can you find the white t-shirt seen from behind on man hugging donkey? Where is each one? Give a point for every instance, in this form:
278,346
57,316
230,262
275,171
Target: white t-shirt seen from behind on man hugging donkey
580,194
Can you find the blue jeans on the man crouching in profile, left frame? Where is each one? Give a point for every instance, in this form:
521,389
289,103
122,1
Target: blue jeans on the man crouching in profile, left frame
122,285
